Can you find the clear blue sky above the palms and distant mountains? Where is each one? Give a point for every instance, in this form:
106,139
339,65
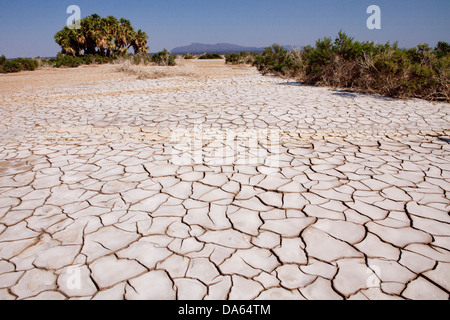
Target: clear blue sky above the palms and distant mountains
27,27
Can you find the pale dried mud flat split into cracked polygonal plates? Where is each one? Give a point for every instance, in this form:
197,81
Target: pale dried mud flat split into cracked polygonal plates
243,187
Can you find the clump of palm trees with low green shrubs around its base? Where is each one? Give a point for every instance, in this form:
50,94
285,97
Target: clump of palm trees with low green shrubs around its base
98,41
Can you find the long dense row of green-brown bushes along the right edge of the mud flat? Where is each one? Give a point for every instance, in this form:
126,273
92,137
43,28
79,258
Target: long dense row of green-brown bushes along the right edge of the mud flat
386,69
